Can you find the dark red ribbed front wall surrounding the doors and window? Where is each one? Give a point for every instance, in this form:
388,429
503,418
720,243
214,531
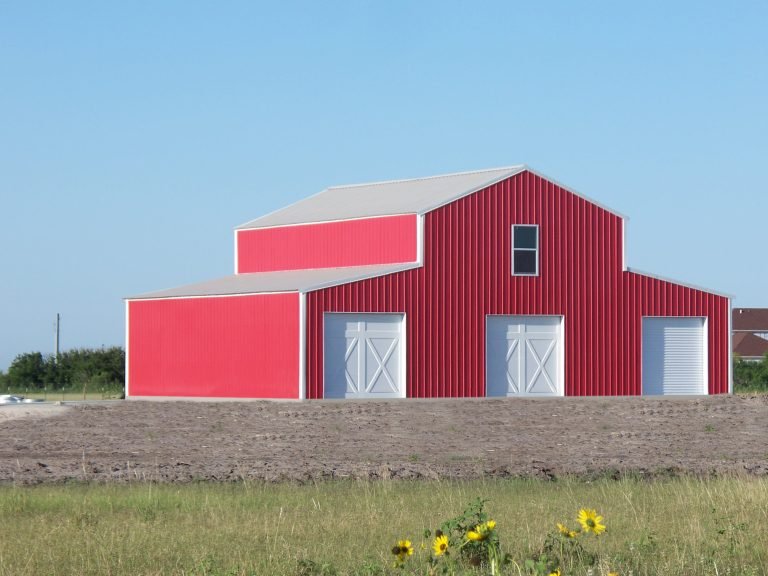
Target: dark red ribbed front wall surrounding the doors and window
467,275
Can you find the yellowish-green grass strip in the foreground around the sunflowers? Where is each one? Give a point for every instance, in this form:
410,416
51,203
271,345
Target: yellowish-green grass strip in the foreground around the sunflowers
679,526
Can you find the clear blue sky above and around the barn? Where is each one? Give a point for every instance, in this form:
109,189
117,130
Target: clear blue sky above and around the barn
134,136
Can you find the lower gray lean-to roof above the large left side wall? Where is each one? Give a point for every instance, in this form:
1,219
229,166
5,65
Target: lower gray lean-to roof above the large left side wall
282,281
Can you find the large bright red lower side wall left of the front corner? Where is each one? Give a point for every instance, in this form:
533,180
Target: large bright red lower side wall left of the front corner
232,347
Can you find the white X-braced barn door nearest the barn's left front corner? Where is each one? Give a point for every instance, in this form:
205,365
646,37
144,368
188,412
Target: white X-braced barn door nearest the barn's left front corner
364,356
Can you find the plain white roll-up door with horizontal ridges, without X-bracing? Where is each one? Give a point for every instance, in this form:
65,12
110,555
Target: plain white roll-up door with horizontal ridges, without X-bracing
674,356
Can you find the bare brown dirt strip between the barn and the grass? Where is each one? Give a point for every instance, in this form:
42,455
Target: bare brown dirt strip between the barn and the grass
178,441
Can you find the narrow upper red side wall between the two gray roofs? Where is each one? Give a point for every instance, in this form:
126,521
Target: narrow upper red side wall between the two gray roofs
385,240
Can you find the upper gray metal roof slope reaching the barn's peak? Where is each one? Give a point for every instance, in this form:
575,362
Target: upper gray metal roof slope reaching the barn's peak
416,196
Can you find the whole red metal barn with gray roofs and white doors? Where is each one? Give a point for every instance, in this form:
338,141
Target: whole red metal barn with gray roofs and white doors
490,283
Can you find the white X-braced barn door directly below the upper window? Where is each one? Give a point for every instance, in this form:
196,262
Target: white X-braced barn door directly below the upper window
524,356
